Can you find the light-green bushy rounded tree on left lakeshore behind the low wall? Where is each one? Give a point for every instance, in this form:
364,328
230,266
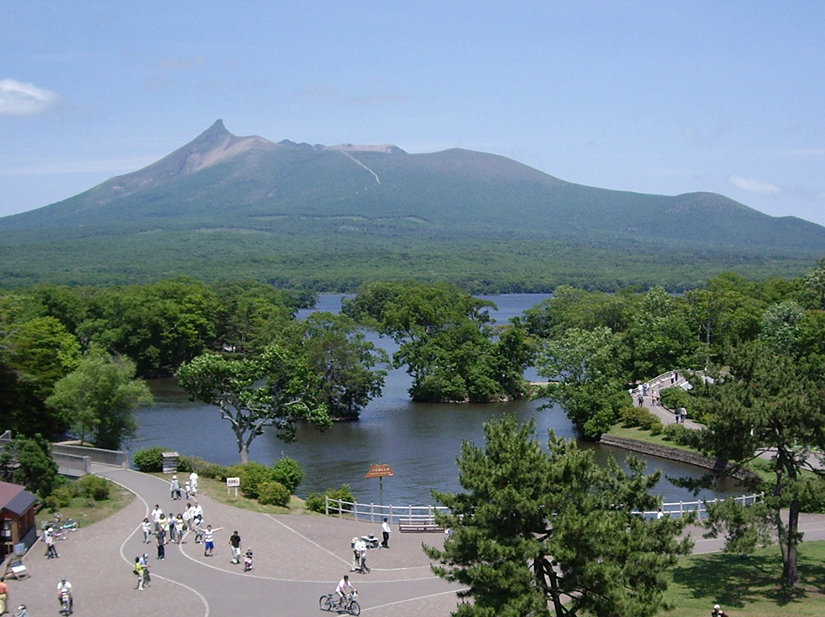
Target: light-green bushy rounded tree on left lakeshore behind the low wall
98,398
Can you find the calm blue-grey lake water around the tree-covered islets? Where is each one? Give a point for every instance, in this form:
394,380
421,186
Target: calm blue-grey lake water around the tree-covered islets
420,441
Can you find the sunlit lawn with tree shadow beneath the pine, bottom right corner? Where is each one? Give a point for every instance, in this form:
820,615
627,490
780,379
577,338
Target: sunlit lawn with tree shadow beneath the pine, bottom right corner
748,587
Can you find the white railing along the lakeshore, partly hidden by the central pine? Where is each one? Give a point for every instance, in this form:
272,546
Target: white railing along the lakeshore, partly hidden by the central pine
411,515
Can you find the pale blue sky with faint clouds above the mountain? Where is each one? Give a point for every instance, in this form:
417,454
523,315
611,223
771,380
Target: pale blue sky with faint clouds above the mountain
655,97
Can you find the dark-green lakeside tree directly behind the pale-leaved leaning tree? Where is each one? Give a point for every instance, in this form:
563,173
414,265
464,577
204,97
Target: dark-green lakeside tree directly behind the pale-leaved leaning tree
344,362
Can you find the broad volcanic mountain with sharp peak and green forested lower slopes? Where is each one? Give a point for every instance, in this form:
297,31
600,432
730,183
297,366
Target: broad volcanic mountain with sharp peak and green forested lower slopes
222,204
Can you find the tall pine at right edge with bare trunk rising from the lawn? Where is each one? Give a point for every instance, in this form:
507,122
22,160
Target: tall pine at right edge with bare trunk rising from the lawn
767,402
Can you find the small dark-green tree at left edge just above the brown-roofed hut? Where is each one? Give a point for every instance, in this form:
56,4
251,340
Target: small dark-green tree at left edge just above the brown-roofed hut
28,461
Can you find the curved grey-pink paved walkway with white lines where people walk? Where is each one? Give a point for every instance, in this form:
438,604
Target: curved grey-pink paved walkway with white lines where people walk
297,558
